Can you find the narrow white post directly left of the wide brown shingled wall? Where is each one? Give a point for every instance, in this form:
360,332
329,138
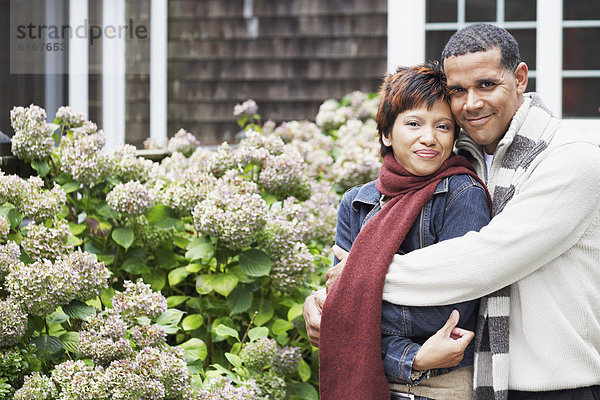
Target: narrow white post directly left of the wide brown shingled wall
158,71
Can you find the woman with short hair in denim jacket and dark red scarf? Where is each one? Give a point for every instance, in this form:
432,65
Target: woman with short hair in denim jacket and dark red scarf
424,194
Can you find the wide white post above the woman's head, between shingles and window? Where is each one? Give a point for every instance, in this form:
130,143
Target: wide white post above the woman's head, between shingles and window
406,33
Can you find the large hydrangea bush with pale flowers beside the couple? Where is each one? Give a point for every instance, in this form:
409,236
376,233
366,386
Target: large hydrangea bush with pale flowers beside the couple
124,278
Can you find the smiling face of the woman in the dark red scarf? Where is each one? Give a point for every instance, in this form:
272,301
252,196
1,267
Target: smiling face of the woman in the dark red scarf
422,139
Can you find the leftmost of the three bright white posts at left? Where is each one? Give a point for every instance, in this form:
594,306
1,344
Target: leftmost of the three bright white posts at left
78,97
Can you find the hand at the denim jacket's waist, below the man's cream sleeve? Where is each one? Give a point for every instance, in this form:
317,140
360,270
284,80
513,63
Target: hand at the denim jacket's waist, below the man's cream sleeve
444,349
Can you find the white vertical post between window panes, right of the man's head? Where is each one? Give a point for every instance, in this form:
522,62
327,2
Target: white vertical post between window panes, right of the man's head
549,46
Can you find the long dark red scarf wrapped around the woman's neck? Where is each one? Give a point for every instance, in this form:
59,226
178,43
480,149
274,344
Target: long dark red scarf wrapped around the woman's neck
350,338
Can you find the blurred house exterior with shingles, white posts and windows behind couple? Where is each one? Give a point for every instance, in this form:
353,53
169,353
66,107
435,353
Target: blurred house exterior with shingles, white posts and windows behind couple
186,63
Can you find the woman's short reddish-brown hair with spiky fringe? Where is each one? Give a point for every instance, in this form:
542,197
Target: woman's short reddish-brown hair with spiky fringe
408,88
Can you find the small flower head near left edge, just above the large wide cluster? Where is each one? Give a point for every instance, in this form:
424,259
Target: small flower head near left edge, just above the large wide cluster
44,242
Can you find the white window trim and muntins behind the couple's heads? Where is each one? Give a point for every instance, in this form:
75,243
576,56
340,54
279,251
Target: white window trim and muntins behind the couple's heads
406,46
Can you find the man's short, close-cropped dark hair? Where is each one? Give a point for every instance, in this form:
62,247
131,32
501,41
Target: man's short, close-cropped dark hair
483,37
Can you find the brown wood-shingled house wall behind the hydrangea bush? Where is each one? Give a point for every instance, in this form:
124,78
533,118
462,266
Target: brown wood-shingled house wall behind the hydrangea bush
288,56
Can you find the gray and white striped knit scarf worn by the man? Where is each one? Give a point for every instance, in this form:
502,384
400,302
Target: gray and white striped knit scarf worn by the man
528,136
